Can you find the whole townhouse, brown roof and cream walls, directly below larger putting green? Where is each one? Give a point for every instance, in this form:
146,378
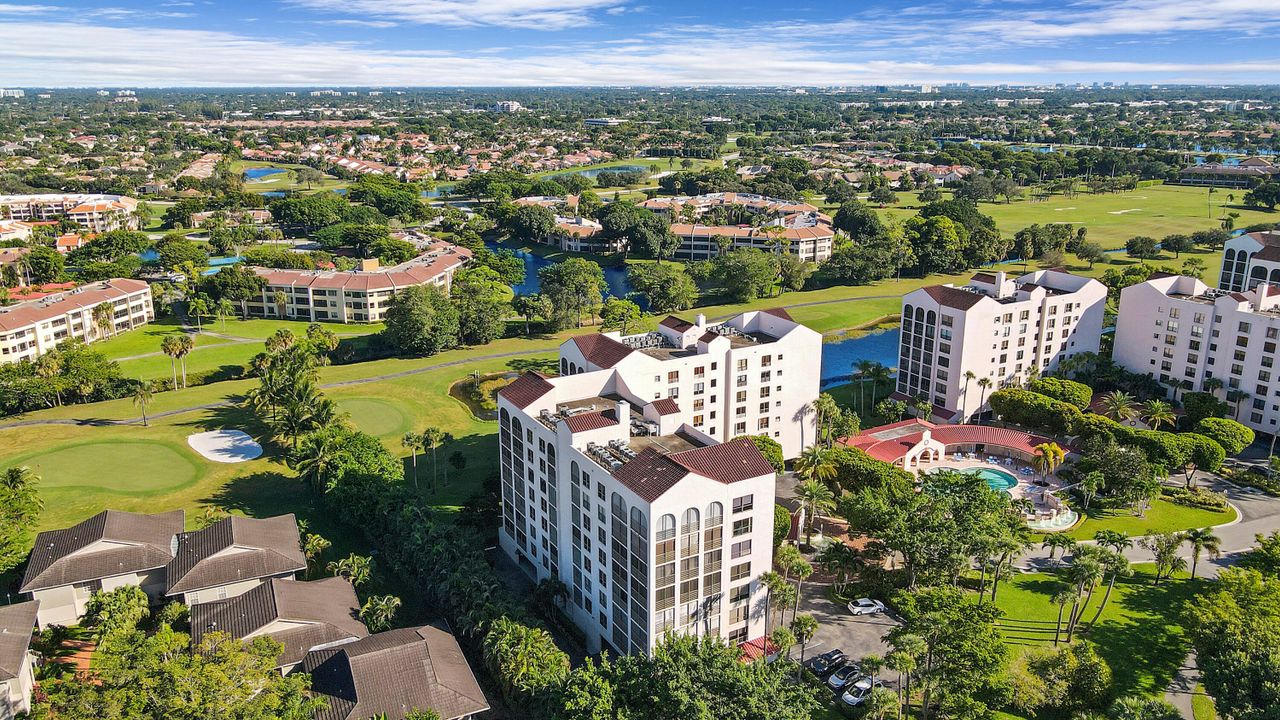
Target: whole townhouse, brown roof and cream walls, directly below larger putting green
107,552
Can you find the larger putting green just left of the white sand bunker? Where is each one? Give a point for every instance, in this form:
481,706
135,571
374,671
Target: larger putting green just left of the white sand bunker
127,467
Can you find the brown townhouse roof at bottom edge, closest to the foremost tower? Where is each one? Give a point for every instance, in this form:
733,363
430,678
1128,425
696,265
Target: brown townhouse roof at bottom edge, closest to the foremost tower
395,673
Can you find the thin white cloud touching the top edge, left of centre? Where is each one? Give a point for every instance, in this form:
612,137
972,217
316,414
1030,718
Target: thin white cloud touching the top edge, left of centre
529,15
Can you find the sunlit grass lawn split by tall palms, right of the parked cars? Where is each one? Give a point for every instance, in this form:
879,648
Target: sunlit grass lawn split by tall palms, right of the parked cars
1140,632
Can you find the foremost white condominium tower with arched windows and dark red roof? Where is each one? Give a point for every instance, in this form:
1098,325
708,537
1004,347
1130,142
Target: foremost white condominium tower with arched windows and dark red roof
652,525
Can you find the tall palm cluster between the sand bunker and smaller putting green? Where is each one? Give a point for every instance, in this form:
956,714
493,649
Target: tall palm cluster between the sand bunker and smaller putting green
289,394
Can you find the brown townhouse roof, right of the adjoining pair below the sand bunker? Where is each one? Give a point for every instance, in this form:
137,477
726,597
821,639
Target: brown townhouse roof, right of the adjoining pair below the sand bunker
234,550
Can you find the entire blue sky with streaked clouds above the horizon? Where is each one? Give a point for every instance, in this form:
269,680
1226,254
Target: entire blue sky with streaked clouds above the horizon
618,43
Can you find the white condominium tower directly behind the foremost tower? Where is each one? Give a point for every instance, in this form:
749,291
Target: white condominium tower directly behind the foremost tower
757,373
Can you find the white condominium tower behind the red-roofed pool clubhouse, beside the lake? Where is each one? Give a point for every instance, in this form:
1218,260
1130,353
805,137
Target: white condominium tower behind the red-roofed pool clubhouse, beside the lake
996,329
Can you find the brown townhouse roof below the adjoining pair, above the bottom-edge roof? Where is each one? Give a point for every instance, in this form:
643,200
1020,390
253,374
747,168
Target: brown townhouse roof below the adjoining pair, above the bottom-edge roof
314,614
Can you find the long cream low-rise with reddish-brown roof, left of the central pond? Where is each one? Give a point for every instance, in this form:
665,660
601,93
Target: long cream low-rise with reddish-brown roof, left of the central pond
353,297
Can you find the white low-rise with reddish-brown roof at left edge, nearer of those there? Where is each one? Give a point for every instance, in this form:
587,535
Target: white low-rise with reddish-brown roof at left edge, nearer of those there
30,330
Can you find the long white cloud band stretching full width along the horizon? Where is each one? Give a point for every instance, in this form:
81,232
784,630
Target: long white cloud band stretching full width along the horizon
163,57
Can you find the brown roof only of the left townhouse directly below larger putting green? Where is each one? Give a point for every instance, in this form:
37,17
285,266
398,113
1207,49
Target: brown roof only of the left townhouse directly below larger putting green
129,544
